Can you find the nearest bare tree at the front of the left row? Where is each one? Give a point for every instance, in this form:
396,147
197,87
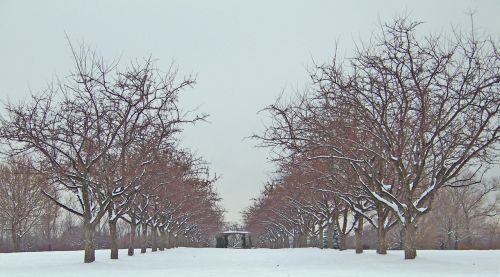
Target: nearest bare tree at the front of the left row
74,125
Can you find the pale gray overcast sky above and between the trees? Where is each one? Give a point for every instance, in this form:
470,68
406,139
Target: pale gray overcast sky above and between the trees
245,53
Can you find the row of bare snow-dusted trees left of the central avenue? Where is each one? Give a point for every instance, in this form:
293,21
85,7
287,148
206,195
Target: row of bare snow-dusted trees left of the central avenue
104,142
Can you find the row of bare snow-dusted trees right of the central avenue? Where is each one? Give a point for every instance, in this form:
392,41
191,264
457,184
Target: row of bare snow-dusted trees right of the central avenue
378,135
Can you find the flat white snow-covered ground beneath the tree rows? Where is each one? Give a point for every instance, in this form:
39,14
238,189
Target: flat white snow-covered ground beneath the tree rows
186,262
